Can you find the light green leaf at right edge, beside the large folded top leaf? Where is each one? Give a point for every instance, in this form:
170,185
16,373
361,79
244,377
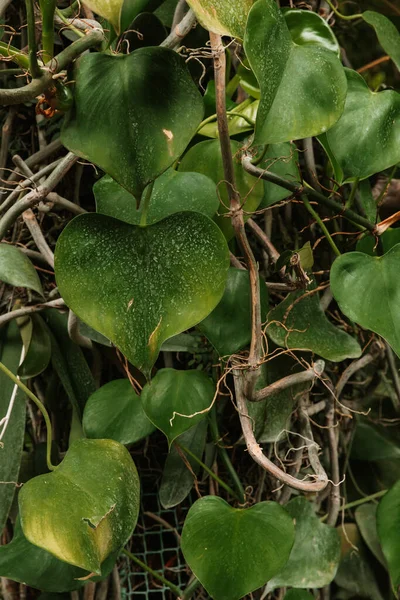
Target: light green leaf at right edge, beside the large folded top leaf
361,150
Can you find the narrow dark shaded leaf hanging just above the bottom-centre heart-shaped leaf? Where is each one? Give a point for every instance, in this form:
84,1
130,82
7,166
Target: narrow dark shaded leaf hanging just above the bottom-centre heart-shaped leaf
177,479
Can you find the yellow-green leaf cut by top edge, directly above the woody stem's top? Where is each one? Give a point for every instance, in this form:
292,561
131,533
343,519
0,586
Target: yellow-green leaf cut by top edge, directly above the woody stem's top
222,16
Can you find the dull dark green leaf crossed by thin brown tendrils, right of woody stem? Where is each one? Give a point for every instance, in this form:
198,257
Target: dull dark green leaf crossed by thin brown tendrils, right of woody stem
302,324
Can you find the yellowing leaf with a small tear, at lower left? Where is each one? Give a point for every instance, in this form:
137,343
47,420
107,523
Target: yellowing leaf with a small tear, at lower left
86,508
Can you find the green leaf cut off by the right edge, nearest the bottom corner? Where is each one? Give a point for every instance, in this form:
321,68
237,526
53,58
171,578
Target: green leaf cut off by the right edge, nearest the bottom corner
388,523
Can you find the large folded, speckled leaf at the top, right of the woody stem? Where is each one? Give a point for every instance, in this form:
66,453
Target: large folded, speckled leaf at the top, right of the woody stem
310,73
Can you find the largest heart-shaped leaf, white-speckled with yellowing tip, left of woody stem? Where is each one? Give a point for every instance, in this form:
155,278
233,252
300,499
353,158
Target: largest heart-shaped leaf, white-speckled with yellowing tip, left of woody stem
140,286
